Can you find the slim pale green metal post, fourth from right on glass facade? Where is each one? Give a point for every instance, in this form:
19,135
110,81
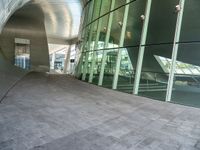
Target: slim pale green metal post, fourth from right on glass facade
110,20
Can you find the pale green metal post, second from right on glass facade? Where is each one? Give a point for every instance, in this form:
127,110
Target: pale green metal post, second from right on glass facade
142,48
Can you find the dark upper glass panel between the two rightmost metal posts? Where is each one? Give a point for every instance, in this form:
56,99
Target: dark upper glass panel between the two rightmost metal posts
160,30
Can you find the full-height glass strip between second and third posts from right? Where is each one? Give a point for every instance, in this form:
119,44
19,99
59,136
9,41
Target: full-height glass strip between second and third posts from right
130,54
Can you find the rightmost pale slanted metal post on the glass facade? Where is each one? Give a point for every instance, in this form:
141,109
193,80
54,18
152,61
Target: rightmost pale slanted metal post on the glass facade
180,9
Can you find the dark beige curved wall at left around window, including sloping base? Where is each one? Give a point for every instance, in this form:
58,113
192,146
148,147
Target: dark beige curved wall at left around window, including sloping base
25,26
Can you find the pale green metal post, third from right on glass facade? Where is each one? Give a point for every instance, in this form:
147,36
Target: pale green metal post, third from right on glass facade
121,44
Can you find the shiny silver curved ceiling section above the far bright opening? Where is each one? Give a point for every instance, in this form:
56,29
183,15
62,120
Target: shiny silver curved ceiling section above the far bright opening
62,17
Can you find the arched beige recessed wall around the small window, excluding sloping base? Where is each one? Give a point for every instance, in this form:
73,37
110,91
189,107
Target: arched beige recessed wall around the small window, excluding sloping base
22,25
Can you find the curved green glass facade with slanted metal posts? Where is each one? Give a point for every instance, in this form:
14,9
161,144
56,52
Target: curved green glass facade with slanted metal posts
146,47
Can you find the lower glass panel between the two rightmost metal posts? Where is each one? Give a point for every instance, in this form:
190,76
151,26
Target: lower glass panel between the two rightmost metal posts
154,78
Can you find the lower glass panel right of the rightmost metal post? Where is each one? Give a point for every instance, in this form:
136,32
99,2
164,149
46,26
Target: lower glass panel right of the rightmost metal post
186,89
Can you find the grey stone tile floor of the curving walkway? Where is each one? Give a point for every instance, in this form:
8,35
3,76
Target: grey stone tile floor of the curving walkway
56,112
